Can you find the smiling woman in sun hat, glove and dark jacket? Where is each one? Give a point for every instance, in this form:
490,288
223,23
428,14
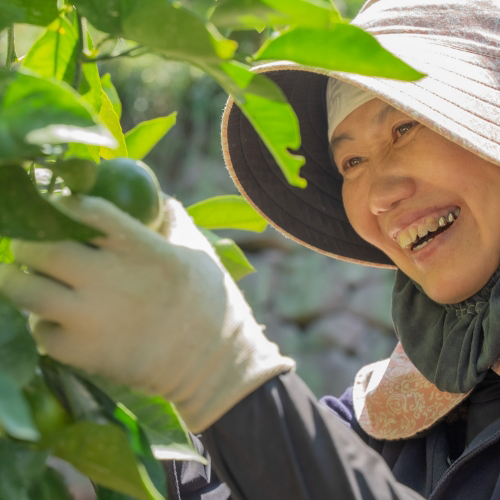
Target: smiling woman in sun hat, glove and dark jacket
412,185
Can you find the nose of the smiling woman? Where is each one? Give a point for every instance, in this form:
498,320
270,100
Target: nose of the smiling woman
388,189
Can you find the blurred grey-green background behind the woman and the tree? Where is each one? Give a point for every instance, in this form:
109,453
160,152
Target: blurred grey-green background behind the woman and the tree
330,316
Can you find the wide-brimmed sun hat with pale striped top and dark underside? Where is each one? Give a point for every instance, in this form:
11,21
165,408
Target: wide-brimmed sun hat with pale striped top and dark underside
456,43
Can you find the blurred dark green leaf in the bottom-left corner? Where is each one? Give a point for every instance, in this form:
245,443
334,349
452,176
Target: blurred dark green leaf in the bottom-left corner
20,469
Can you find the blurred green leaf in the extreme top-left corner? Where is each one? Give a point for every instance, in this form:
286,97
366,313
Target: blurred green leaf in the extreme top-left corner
39,12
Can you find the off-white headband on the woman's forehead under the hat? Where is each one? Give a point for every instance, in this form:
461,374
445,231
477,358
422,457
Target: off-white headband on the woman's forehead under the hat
341,100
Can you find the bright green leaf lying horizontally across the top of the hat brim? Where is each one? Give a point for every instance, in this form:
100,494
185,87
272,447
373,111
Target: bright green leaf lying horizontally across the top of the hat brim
344,48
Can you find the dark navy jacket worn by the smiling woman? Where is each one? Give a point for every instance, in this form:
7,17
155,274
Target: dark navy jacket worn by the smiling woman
280,443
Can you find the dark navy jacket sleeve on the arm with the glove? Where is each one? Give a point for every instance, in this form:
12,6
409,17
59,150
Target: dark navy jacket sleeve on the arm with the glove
280,443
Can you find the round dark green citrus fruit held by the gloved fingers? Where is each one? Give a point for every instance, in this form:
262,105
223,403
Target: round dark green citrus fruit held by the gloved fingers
132,186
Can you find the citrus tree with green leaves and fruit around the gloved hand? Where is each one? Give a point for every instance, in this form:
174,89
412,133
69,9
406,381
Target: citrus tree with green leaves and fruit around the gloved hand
60,134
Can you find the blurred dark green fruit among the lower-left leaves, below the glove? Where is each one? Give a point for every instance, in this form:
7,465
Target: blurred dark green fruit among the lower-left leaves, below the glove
48,414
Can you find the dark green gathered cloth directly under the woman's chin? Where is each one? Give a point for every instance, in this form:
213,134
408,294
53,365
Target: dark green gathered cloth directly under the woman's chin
452,345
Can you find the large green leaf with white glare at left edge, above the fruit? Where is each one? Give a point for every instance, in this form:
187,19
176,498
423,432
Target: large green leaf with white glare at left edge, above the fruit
35,112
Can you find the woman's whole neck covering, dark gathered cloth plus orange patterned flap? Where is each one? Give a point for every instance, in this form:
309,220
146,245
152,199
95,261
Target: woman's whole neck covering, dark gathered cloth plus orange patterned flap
445,350
